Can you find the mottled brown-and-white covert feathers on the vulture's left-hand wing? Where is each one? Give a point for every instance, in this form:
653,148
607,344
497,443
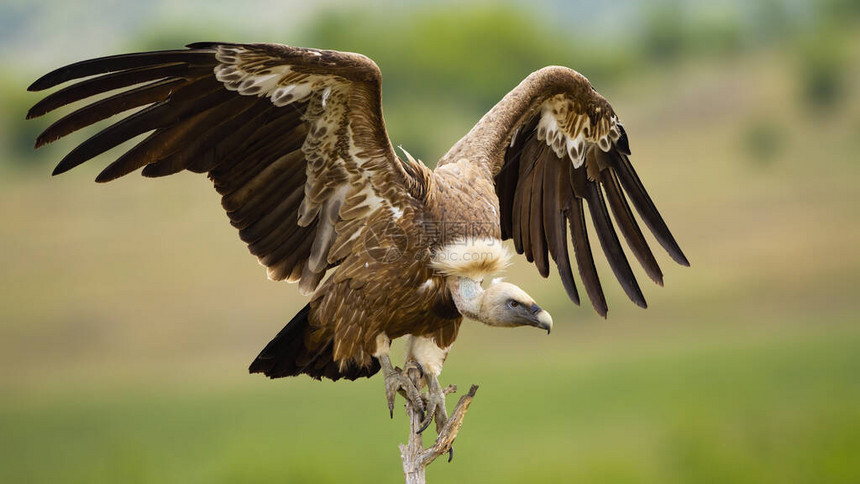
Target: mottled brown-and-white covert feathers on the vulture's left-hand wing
340,179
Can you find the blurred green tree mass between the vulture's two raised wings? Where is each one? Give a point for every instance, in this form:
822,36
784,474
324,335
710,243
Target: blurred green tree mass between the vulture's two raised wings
439,66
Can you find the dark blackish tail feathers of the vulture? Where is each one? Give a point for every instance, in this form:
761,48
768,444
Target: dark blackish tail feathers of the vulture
287,355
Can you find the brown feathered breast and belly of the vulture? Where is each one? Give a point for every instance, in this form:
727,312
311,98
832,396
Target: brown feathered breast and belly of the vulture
360,299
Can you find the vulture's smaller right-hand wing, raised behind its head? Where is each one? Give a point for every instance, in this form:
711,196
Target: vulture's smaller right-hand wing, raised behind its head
557,150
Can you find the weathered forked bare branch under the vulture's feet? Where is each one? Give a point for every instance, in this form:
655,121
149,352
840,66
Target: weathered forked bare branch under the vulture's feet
414,456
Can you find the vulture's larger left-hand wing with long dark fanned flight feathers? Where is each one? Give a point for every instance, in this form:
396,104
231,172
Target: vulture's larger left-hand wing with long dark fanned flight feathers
292,138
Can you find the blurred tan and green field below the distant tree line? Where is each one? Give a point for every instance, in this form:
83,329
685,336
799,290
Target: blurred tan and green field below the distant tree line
131,310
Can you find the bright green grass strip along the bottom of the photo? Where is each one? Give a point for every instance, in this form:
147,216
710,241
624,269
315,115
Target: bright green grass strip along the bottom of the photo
740,409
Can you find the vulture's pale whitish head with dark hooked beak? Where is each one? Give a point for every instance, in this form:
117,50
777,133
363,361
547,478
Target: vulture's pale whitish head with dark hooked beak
501,304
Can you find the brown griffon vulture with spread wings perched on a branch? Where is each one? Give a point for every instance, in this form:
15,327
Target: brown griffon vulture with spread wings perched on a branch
294,141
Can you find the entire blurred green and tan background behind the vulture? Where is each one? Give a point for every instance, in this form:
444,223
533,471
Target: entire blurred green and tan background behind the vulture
130,311
